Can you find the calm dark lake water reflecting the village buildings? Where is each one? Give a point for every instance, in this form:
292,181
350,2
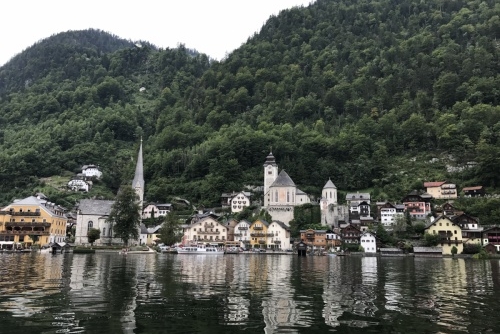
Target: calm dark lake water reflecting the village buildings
250,293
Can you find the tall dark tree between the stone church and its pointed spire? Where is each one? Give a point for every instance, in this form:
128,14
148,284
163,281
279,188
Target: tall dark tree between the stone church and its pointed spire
125,215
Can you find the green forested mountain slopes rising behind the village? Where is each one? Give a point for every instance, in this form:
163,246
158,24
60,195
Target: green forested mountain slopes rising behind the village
364,92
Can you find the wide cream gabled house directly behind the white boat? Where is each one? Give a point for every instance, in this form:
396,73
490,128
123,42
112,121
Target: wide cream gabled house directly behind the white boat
206,230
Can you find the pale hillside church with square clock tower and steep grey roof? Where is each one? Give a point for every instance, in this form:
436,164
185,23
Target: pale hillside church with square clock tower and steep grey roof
281,194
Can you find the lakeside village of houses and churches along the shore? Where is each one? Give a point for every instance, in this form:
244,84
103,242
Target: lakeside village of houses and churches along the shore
344,227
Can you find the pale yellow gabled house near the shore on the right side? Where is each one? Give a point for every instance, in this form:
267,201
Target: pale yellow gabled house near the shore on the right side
451,234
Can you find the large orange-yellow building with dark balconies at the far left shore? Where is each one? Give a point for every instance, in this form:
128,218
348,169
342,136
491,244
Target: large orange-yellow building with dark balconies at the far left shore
32,218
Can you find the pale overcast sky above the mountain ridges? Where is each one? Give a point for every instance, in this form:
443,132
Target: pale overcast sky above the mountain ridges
214,27
